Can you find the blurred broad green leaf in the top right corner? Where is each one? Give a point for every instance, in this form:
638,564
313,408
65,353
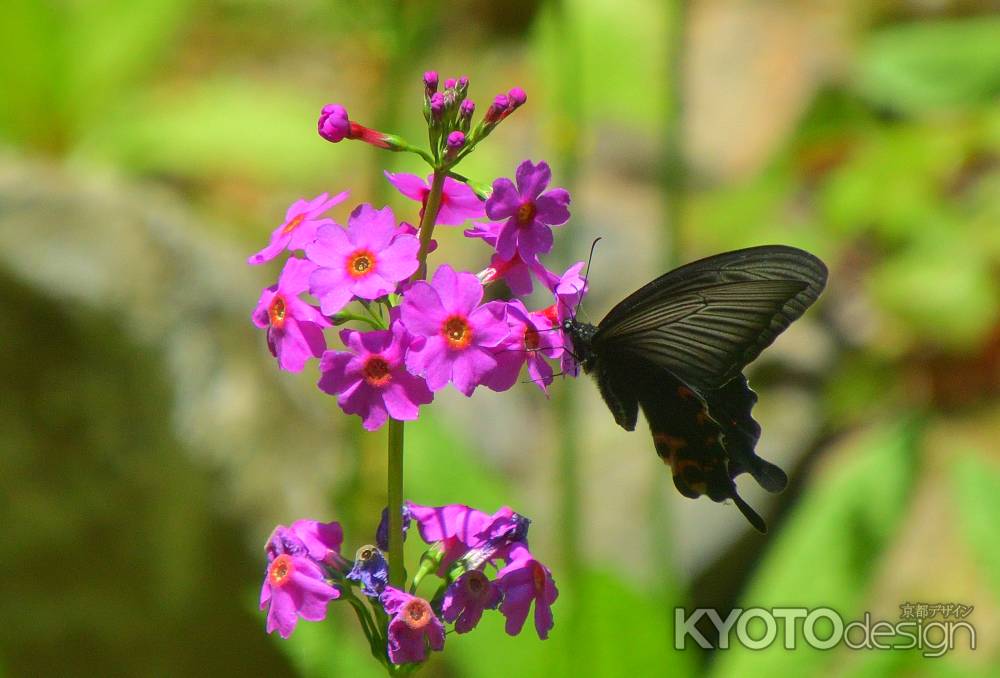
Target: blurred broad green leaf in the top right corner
932,65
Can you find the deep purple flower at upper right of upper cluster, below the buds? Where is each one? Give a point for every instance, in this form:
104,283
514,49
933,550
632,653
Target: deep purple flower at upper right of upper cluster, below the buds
529,210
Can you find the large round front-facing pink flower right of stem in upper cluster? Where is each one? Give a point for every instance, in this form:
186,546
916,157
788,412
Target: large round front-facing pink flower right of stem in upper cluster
459,332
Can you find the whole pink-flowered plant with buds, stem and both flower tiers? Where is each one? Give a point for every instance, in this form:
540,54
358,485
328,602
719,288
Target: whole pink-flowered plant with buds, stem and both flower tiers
413,329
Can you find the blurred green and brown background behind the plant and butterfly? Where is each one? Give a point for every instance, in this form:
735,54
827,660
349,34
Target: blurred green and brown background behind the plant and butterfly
148,443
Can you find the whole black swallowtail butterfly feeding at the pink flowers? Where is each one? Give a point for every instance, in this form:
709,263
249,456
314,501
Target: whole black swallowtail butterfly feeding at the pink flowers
677,348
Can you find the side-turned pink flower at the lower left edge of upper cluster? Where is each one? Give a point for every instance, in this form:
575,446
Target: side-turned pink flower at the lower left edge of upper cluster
294,328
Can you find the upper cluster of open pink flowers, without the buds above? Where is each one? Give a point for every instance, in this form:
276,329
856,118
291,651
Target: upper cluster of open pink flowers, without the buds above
423,335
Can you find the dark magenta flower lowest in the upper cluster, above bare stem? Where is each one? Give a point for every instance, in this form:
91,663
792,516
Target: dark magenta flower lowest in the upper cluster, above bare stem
370,379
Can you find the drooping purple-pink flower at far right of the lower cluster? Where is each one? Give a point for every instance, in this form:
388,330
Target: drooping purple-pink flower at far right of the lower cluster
522,581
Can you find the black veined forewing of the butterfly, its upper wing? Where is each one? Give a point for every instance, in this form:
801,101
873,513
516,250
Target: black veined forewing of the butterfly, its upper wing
705,321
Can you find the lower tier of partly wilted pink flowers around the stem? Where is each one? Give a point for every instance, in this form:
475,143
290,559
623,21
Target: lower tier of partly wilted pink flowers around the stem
479,561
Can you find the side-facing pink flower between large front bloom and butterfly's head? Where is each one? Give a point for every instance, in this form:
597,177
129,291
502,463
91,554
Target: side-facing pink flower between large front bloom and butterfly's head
530,341
